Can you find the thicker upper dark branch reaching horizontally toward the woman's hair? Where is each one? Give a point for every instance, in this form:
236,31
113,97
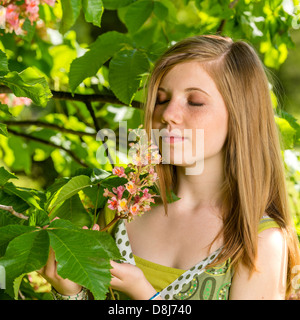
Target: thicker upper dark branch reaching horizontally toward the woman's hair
60,95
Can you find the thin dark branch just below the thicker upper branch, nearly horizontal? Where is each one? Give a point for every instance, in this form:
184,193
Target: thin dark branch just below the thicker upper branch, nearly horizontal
43,124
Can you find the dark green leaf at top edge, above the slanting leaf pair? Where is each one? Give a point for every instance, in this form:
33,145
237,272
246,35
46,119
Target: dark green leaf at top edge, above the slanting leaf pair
137,14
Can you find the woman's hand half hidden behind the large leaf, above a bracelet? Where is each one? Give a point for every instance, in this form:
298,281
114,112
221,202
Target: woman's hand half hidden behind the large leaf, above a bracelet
63,286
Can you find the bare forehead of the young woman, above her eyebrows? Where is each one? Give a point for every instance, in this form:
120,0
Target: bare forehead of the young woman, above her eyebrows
188,75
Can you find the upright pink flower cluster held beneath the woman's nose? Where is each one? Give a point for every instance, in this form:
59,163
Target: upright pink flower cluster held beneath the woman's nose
133,198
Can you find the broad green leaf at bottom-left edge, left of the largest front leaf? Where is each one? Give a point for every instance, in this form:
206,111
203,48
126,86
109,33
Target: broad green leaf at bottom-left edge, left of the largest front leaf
25,253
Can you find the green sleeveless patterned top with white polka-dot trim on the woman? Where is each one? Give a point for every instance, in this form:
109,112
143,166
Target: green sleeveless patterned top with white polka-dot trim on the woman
197,283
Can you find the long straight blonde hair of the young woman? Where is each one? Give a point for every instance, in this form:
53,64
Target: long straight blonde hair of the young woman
254,173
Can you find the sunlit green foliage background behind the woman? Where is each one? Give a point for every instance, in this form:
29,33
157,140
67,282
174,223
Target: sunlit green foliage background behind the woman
96,63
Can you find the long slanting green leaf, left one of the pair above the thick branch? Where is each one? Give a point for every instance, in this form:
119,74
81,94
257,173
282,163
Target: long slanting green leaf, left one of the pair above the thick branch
100,51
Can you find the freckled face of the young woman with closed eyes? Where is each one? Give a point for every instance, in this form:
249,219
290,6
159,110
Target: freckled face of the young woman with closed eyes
188,98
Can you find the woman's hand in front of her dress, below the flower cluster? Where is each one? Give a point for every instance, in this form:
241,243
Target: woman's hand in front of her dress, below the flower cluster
130,280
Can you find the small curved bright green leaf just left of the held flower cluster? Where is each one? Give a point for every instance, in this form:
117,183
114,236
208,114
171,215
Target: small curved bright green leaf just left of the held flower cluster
69,189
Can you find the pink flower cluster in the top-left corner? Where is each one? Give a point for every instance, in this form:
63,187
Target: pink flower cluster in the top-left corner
12,16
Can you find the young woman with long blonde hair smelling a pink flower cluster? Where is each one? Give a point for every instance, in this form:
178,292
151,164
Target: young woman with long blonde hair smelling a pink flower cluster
230,236
